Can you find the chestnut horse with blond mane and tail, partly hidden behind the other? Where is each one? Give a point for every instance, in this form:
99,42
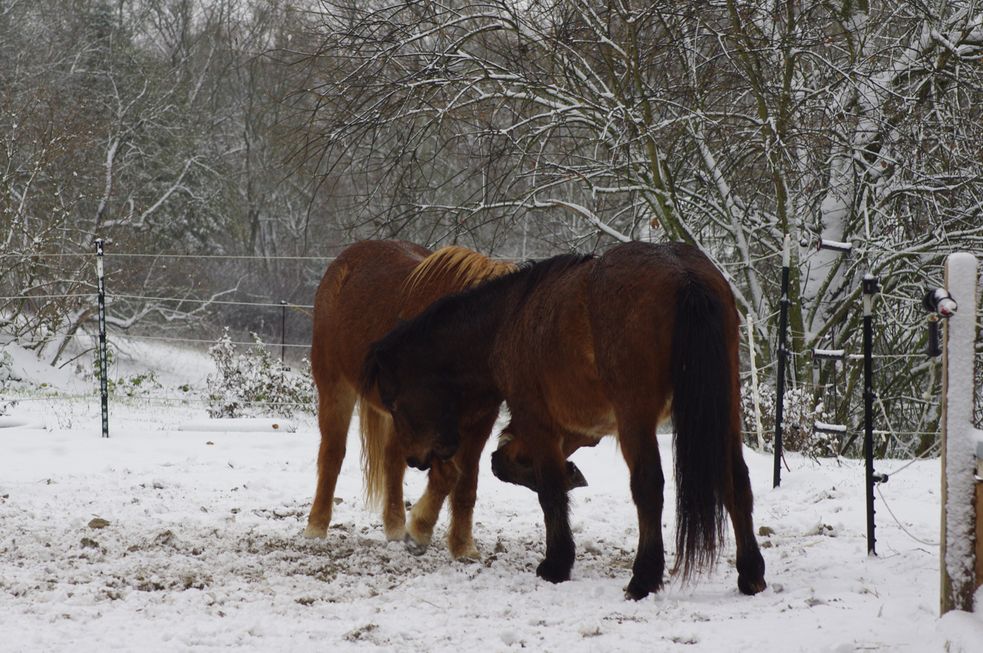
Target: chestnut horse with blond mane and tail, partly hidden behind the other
363,294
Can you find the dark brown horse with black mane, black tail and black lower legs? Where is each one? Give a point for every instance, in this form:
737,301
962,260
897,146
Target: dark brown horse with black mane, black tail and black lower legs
582,347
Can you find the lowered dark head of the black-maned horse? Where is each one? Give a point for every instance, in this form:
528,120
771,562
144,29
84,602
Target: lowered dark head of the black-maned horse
424,407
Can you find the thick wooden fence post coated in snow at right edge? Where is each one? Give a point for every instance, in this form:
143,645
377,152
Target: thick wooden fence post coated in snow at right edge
962,493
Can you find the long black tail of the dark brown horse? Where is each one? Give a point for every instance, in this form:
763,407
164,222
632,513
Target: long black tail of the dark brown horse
701,414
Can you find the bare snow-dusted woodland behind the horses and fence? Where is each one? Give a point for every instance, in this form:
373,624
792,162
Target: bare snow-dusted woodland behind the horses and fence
225,150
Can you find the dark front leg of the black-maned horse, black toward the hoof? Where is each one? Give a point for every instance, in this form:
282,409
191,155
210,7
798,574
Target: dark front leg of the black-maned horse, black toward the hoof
551,481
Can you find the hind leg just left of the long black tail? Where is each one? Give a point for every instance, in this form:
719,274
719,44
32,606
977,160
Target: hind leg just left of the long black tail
641,451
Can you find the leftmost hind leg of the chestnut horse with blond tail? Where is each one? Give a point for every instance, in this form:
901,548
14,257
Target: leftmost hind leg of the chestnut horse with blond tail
336,400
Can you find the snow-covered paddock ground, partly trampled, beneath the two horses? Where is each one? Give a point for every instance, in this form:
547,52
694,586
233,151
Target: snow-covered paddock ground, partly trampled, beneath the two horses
161,539
